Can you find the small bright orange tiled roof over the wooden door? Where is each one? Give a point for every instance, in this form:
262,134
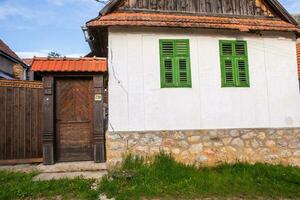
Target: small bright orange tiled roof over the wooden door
69,64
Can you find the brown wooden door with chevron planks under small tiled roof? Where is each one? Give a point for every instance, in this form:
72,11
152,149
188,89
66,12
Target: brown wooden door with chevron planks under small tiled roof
74,105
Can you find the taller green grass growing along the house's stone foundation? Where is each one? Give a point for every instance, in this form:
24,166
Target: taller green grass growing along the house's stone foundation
166,179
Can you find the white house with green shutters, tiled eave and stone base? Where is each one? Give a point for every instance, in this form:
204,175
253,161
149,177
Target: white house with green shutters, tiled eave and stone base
206,80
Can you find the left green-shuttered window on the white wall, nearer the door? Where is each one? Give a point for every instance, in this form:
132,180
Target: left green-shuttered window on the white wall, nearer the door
175,63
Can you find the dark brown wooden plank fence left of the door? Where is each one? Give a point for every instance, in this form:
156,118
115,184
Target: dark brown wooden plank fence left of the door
20,121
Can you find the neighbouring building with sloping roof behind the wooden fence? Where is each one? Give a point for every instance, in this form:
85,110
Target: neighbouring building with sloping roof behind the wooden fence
11,66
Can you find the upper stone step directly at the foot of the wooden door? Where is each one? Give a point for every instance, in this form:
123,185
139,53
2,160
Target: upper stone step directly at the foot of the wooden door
81,166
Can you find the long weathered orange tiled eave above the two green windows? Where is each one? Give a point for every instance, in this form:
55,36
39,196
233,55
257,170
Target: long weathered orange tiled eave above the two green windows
191,21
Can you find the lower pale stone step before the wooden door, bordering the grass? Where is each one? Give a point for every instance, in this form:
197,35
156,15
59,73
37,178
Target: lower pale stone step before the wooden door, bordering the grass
69,175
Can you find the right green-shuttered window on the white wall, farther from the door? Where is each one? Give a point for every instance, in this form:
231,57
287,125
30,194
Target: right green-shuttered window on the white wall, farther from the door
234,63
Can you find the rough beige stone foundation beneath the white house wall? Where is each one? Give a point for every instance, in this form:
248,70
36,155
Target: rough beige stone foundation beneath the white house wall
210,147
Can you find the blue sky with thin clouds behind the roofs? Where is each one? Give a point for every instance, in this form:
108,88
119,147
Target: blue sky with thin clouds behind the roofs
36,27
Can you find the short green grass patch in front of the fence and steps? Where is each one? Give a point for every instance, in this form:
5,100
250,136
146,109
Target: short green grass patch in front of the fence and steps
20,186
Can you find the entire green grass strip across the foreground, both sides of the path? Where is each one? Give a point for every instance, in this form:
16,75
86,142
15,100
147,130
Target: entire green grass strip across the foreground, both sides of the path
164,178
